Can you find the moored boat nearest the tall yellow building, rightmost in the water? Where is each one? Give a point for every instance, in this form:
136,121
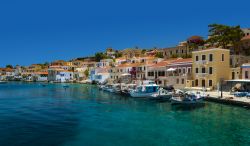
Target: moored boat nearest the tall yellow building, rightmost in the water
186,98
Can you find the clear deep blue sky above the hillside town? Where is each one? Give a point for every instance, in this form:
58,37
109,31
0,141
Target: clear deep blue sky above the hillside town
36,31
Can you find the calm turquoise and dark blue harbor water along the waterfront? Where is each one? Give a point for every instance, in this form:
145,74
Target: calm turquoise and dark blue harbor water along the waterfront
33,115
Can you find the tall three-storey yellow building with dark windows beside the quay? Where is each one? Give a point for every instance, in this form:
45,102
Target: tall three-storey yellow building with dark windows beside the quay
210,67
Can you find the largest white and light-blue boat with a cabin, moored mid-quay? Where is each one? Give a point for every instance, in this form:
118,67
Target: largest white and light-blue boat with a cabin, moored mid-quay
145,90
